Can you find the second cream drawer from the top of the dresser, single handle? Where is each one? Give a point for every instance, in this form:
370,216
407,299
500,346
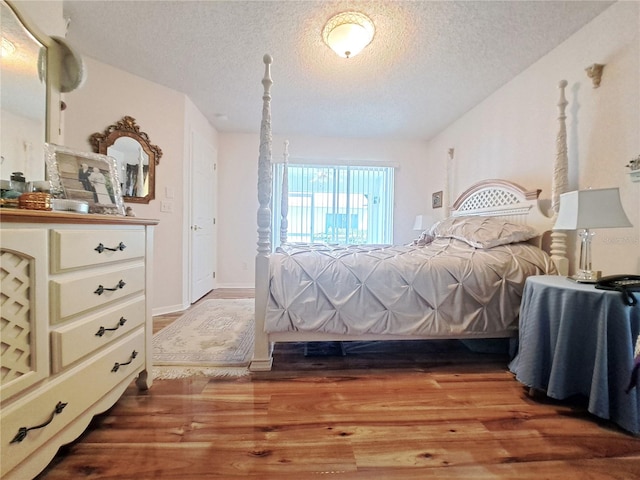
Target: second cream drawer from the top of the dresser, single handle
74,294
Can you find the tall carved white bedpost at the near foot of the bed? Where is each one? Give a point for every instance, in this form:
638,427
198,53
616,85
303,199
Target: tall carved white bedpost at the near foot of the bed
262,358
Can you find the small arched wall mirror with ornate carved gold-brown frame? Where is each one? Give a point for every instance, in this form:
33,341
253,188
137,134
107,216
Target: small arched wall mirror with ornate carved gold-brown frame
136,158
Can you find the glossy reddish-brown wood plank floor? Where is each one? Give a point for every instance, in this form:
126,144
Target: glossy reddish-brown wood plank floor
412,410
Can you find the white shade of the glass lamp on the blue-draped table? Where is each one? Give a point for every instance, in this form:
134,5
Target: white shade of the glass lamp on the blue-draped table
585,209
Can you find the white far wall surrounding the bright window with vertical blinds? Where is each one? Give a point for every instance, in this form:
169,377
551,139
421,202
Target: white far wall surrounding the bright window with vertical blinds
238,203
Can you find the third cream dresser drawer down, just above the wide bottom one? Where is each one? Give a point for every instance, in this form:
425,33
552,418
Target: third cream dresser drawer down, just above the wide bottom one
73,341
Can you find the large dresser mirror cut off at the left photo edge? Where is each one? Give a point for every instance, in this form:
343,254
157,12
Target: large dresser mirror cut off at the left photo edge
23,98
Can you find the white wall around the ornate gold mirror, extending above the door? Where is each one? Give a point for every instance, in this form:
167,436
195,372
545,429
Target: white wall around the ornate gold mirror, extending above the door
109,94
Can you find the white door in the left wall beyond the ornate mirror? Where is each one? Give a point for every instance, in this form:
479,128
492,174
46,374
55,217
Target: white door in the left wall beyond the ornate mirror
203,222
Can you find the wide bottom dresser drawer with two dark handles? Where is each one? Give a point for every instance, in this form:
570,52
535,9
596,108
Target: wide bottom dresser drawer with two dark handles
79,388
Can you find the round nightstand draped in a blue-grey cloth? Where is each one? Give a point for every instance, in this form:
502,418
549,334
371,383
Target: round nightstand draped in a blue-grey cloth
577,340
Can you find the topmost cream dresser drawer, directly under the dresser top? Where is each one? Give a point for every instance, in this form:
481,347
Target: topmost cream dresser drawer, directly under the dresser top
83,248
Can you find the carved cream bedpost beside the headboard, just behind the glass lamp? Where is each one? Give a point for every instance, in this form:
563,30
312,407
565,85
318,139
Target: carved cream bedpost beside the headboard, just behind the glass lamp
559,185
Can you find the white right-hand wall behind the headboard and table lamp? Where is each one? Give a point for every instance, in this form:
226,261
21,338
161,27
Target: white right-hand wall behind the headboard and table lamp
512,133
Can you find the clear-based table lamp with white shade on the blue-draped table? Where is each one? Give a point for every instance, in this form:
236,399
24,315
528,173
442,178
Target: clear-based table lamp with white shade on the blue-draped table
586,209
